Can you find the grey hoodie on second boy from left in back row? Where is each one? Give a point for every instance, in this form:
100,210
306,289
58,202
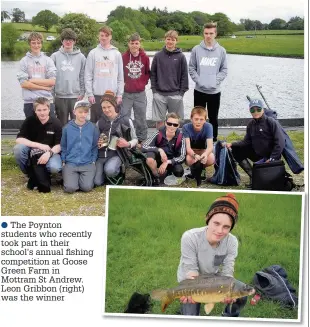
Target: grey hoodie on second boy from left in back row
70,73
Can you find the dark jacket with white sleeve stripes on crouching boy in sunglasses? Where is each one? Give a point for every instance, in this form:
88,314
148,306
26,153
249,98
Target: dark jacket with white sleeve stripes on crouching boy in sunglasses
175,154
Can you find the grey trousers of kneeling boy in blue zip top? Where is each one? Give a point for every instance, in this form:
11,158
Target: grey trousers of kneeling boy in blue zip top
78,177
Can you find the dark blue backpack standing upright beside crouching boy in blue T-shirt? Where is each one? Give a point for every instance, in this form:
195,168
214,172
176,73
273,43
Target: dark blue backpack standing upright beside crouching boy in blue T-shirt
225,167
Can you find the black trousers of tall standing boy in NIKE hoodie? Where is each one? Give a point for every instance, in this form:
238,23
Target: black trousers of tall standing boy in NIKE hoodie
212,102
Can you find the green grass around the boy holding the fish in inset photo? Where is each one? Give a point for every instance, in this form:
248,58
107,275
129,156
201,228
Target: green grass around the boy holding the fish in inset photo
144,234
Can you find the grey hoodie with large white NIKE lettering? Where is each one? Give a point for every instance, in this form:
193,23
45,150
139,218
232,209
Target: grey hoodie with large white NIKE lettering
208,67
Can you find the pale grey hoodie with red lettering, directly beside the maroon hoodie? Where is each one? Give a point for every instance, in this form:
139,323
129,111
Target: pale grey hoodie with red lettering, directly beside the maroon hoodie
104,71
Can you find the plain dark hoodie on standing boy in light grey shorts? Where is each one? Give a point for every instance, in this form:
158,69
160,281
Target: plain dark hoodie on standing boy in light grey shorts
169,75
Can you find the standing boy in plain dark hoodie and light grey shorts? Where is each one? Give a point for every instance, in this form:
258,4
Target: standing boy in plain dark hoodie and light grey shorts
169,80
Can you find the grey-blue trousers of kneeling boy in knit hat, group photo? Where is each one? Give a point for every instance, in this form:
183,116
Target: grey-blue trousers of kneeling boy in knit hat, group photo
110,167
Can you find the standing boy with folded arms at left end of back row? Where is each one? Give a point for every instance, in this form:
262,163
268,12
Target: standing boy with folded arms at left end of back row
36,75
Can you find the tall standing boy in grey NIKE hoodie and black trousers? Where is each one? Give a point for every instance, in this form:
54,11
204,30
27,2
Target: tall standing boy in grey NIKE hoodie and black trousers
208,69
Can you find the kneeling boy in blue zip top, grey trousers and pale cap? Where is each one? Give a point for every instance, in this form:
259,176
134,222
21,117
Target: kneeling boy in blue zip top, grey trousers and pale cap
79,151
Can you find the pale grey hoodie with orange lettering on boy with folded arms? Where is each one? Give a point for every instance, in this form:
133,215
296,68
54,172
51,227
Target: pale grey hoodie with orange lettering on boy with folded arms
39,66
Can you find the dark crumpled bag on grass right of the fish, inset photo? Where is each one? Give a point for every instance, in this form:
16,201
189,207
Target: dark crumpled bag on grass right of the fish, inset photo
272,284
